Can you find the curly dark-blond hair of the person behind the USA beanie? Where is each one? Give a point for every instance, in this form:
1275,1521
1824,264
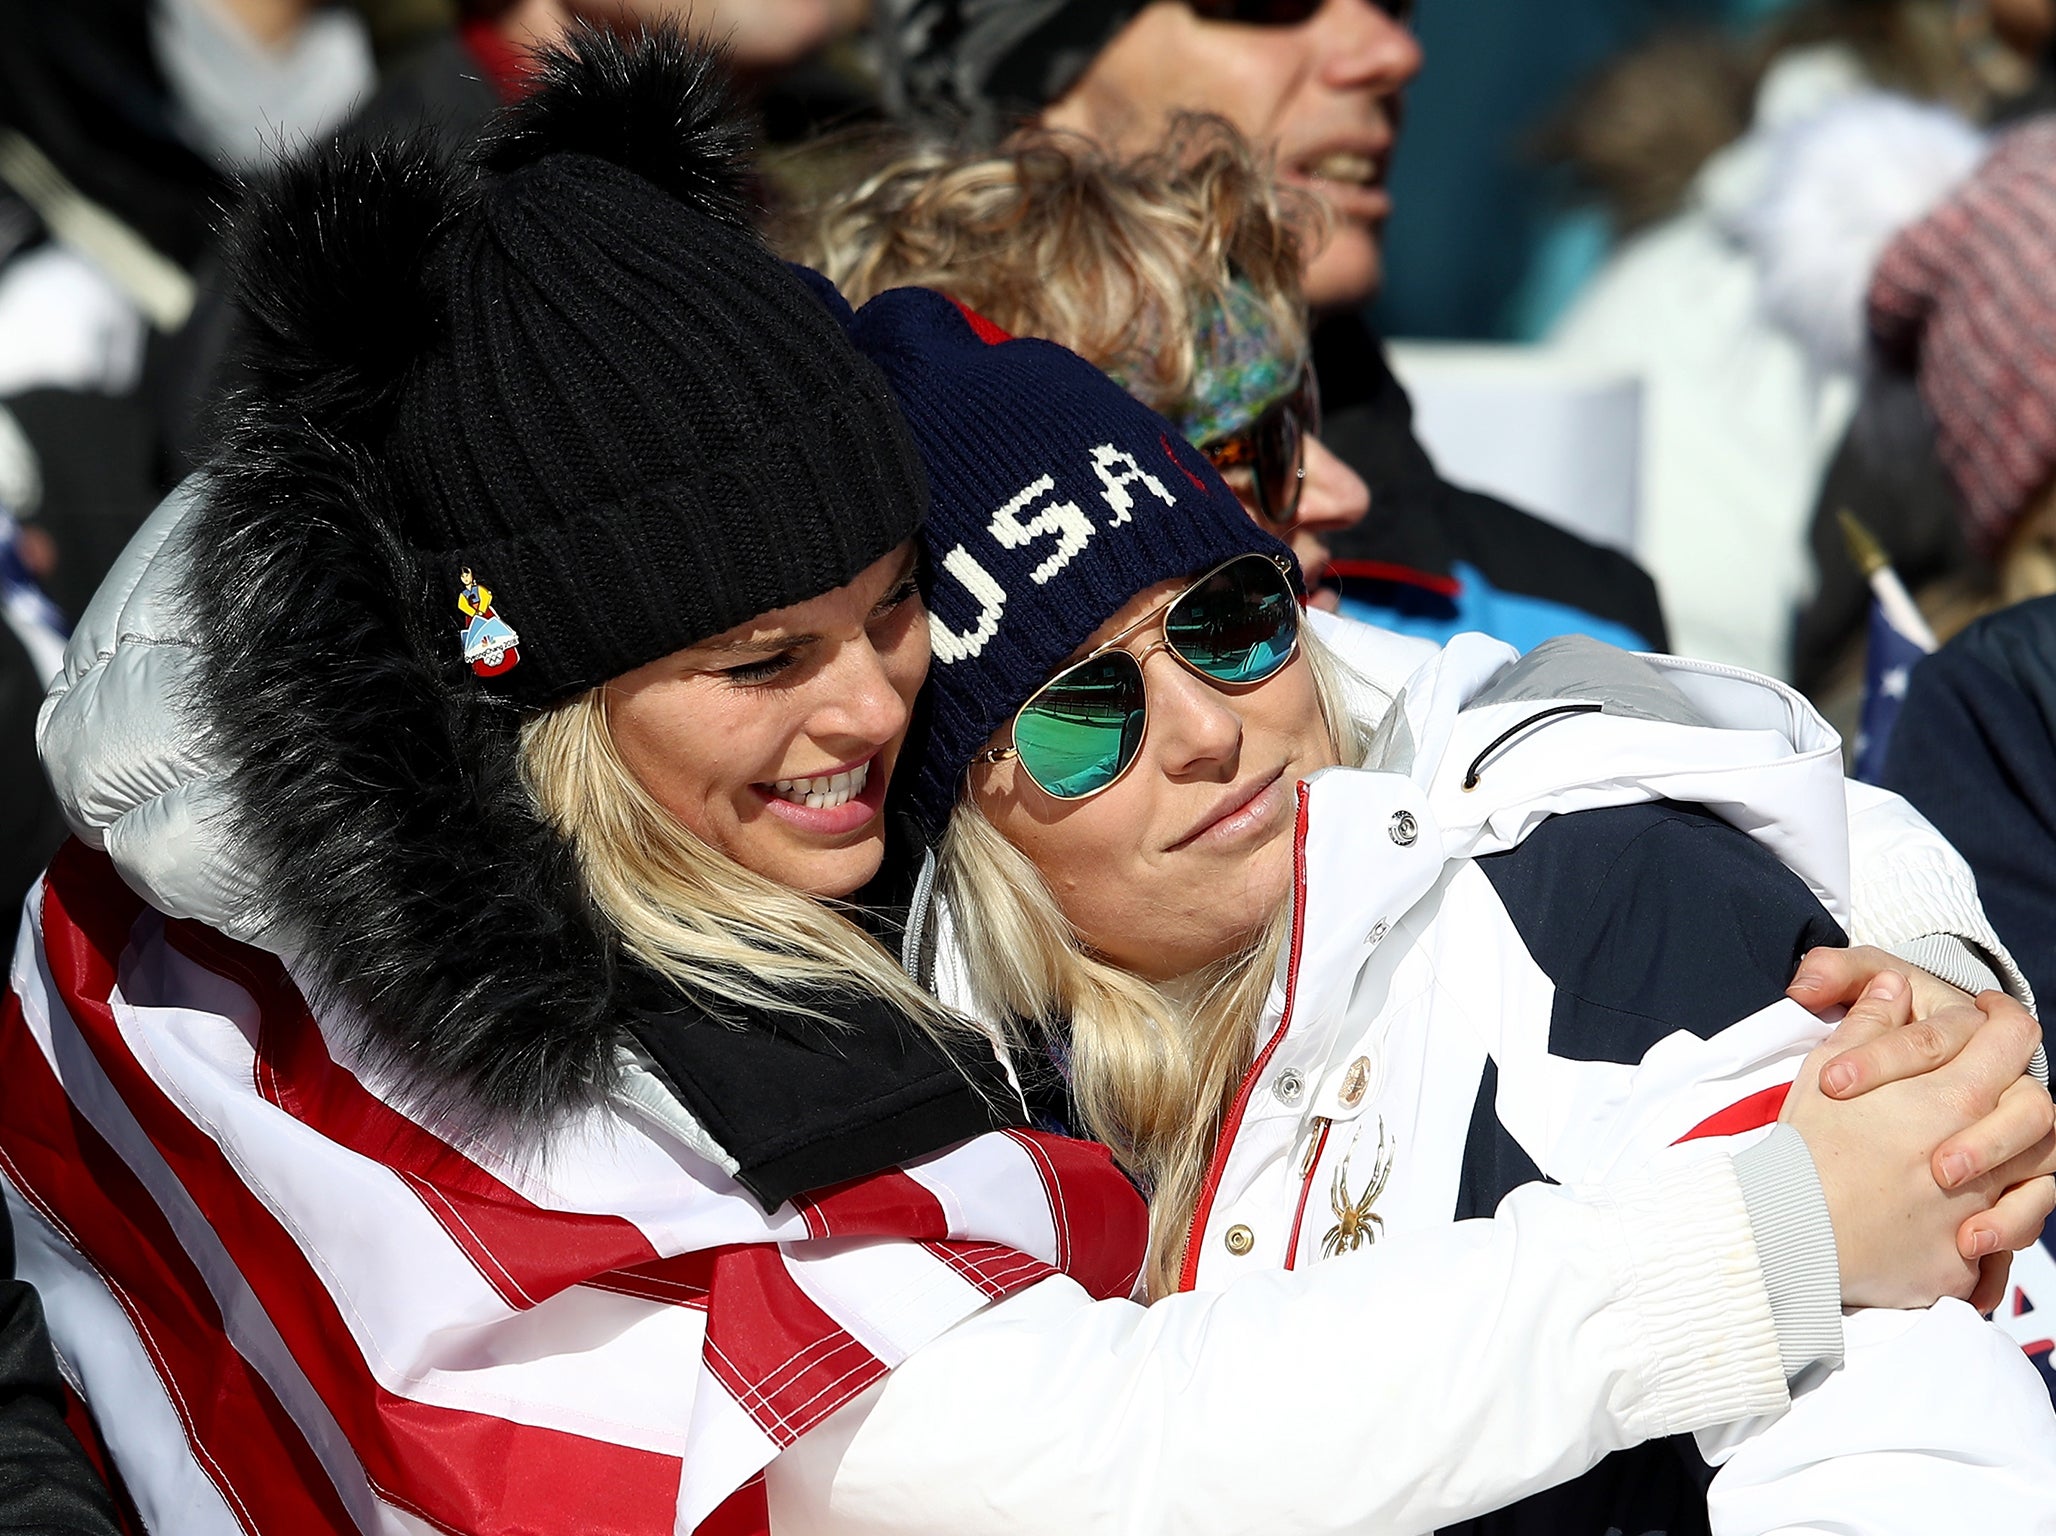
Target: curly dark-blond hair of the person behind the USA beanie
1124,262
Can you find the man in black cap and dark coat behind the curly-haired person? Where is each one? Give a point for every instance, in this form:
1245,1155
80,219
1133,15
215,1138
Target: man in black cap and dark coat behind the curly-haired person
1317,81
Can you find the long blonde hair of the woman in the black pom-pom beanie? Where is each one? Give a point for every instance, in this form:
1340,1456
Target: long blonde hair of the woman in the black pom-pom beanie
717,930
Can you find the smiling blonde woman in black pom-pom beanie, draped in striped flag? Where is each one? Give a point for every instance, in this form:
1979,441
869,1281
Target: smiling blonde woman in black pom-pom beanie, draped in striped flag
464,1076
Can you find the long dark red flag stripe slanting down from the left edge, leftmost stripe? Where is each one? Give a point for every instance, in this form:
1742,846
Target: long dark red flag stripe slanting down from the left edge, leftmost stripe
235,1428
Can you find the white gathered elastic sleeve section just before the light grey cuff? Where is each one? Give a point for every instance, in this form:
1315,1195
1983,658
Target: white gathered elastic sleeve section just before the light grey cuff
1697,1288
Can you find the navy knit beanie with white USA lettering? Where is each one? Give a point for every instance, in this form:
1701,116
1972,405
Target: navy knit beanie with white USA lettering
1054,499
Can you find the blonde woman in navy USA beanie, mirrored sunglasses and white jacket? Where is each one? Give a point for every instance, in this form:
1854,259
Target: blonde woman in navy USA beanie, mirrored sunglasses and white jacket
1337,992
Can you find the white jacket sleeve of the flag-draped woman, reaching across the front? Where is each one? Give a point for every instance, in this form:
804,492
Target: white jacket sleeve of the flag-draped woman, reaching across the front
1399,1389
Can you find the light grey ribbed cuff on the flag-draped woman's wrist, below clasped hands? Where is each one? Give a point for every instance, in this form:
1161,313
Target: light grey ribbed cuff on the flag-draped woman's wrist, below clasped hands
1796,1247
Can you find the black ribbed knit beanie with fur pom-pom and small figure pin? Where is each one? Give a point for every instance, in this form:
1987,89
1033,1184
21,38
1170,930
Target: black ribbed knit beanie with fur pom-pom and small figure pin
618,425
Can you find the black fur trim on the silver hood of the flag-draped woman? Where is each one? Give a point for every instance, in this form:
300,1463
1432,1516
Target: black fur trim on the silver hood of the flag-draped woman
381,795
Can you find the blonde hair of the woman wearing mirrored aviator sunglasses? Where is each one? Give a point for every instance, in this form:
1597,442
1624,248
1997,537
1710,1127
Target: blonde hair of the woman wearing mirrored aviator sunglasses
1152,1068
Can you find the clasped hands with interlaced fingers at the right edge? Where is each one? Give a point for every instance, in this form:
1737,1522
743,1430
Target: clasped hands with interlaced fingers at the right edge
1938,1153
